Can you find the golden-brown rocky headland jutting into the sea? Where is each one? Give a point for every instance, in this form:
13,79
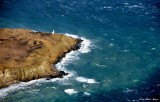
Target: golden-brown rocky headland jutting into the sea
27,55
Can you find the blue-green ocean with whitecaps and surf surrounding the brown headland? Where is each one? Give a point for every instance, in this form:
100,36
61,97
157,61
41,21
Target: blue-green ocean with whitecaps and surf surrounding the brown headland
118,62
